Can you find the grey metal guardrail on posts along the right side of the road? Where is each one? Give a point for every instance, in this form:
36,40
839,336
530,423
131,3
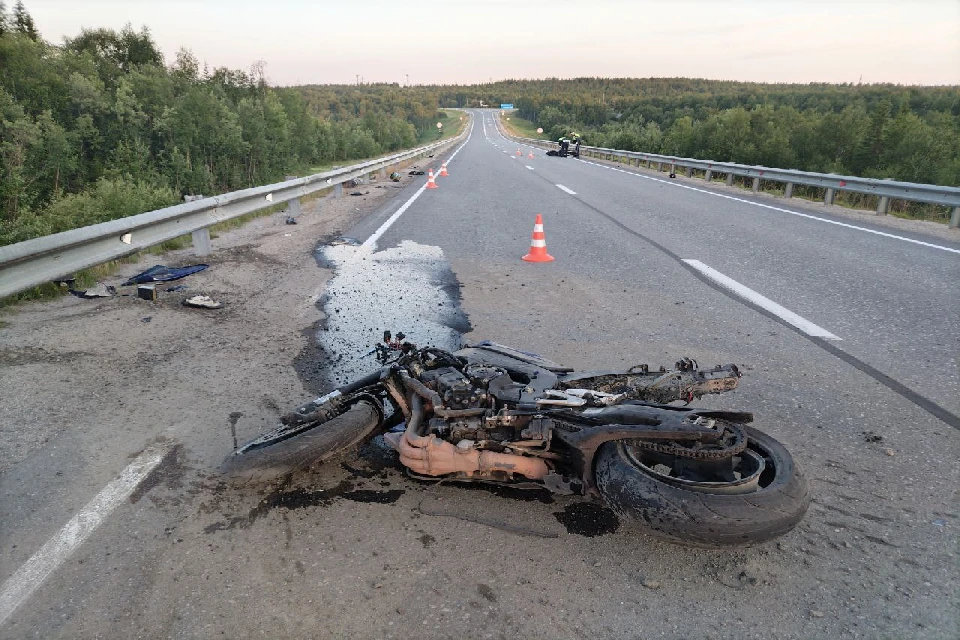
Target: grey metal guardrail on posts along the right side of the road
885,189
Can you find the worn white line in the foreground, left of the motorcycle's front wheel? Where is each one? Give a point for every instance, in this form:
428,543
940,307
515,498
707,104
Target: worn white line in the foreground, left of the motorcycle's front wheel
31,575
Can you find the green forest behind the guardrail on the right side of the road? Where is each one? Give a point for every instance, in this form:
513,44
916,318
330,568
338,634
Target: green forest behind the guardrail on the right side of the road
907,133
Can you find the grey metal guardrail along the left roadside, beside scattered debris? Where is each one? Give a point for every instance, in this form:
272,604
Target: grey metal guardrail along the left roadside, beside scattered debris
32,262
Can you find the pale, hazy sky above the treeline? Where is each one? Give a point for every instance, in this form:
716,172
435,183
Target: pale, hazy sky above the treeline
460,42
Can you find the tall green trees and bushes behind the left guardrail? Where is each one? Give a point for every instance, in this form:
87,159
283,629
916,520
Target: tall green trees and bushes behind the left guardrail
98,127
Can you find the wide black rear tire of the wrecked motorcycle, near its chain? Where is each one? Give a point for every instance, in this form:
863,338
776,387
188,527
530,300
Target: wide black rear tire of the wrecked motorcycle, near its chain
702,519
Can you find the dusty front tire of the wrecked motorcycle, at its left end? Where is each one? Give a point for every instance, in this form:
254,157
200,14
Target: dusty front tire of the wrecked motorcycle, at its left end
315,444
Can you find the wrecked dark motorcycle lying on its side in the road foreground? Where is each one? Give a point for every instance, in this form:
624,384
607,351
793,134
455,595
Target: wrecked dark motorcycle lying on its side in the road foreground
491,413
